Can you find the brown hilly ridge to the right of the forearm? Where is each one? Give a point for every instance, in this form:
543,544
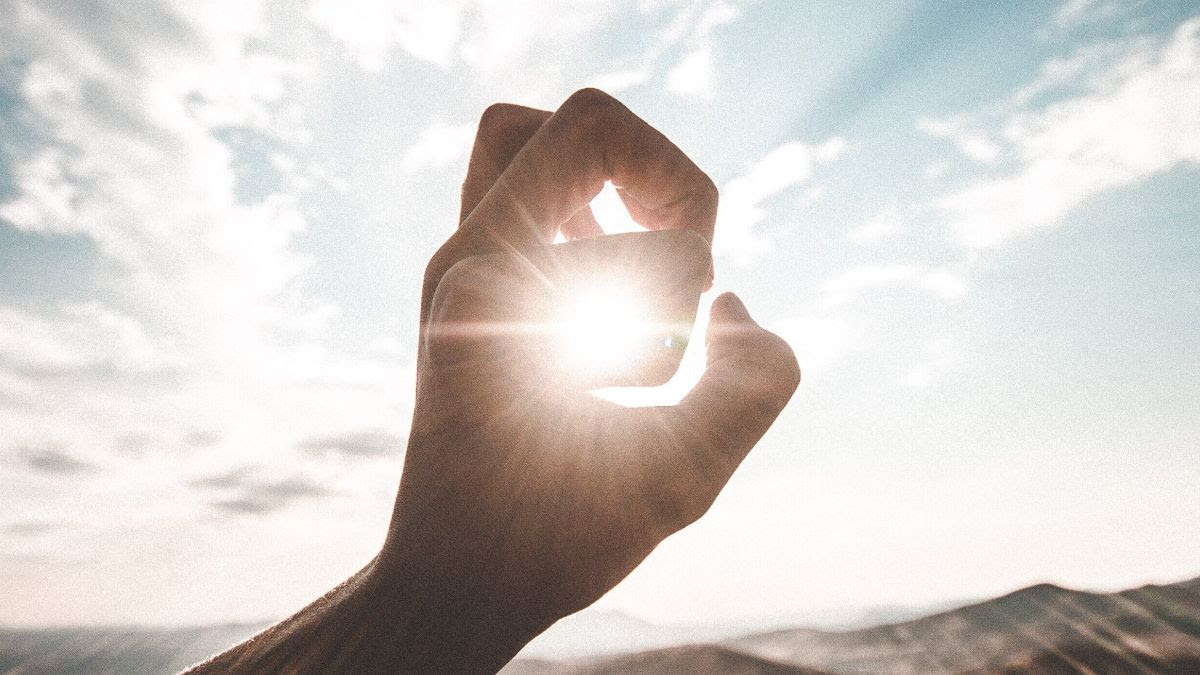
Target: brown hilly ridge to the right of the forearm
1042,629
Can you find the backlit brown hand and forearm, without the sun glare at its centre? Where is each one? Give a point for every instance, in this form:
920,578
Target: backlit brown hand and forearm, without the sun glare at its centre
524,499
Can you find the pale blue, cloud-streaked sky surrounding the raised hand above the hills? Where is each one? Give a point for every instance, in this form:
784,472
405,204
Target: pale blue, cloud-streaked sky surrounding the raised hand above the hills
975,223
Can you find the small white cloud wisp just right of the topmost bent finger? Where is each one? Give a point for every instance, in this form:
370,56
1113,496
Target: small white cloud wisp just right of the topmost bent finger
742,206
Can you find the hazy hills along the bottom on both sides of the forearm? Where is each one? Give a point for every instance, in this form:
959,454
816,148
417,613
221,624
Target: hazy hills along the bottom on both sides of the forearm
1039,630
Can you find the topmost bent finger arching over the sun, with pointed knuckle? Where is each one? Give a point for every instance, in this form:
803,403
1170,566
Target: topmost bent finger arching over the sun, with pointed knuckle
590,140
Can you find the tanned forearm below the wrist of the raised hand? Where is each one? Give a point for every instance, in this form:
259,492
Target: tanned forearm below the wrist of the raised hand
377,623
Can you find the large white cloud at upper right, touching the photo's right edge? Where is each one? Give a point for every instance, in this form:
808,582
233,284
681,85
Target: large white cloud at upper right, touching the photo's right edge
1141,123
